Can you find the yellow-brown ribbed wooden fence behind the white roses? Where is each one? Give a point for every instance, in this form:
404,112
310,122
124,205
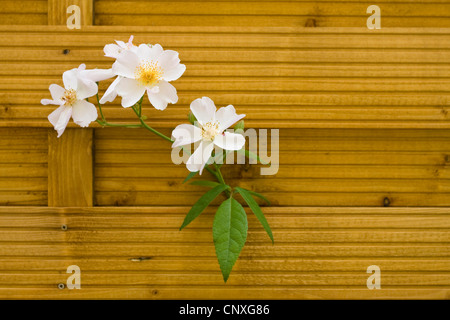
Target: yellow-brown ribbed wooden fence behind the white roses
364,175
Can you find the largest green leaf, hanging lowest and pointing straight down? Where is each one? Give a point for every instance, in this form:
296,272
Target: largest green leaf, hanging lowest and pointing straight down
229,233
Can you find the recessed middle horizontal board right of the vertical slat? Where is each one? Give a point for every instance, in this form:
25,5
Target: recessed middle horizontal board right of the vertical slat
316,167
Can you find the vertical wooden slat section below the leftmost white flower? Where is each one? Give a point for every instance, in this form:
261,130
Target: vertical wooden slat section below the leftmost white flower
70,168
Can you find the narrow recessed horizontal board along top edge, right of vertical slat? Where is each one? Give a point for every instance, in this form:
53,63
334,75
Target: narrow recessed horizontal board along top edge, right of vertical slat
268,13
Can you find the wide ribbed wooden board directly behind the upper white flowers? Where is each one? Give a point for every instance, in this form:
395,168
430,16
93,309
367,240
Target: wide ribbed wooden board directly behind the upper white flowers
279,76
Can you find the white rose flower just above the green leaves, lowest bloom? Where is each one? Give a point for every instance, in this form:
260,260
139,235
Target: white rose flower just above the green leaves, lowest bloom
210,131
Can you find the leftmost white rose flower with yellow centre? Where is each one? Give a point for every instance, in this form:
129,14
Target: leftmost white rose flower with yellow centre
79,84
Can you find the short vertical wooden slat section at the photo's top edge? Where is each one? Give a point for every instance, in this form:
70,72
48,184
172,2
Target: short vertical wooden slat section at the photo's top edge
57,11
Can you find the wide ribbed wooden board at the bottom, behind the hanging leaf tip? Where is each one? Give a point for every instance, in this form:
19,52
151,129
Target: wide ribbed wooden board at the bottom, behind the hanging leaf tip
121,248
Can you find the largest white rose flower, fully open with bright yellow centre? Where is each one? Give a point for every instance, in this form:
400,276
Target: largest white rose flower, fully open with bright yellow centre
146,69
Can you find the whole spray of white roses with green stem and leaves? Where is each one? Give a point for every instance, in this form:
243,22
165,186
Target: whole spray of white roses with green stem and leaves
148,70
